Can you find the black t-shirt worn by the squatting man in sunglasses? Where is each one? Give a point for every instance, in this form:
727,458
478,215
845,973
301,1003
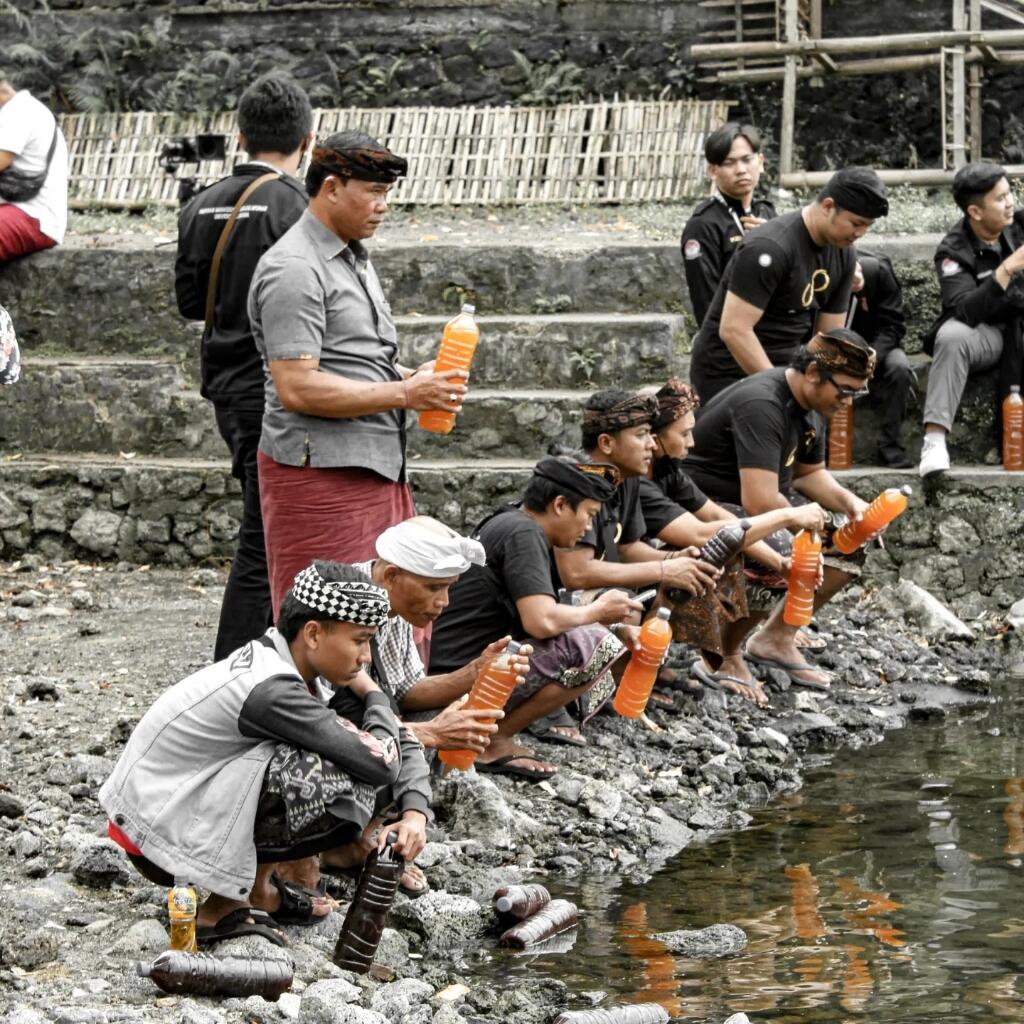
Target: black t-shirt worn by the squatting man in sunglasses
753,424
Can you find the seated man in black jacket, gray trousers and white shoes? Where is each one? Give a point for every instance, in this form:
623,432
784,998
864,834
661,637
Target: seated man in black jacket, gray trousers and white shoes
980,265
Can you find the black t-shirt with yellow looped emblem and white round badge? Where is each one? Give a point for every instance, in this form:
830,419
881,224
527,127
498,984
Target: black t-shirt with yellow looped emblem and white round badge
773,269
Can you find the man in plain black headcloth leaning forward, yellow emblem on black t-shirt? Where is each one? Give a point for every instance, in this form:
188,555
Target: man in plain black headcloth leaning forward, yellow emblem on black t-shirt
788,280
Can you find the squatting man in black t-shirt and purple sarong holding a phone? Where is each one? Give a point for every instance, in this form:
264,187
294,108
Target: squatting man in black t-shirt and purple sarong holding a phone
516,594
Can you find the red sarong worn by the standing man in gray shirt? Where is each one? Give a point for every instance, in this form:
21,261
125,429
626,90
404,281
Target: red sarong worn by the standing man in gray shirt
313,514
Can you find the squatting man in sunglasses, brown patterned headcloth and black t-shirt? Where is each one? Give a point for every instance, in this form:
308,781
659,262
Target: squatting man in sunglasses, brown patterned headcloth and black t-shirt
762,440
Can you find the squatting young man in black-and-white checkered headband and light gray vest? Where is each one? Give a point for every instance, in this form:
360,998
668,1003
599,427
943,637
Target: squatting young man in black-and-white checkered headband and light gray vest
246,759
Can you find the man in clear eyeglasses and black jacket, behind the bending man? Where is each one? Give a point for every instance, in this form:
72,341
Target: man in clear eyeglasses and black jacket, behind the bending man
718,225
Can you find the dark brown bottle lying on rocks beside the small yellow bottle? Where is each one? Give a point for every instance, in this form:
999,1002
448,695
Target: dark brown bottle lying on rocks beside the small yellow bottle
203,974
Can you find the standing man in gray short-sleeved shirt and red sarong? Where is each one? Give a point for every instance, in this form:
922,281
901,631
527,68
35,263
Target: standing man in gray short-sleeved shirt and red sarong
332,455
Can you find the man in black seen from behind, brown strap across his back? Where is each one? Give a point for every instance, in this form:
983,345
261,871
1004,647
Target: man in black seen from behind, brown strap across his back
275,130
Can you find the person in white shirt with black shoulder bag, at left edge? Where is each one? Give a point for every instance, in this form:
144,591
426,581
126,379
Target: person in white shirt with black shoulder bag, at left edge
31,144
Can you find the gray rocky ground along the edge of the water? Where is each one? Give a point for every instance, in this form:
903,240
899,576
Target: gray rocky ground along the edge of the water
87,649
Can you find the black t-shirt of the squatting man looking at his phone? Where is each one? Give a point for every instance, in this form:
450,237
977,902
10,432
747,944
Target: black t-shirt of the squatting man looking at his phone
482,605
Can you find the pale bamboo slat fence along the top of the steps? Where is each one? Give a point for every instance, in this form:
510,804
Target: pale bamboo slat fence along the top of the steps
607,152
